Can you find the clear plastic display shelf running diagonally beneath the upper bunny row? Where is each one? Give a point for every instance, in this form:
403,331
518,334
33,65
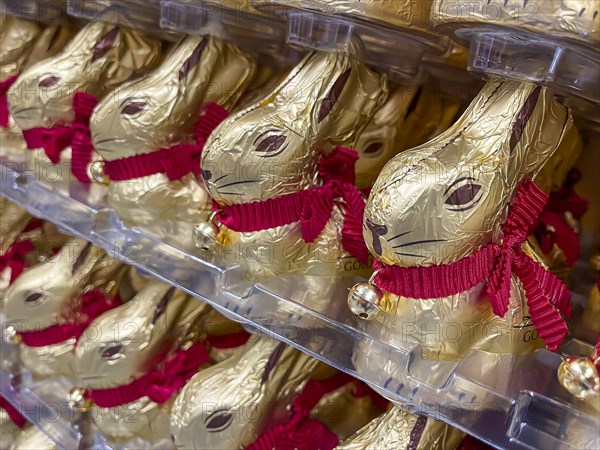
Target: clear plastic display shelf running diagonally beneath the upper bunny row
508,401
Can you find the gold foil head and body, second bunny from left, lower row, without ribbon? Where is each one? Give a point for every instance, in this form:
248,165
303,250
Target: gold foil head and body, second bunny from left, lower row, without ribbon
128,342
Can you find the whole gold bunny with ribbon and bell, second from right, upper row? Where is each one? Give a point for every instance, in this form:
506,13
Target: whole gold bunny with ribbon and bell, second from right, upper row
285,190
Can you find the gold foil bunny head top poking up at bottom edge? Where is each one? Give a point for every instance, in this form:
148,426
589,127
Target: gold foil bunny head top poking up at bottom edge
398,429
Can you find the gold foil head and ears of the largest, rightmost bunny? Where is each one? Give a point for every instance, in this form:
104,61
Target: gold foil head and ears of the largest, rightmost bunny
440,202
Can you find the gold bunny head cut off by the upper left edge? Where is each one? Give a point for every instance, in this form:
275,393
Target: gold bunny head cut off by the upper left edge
17,37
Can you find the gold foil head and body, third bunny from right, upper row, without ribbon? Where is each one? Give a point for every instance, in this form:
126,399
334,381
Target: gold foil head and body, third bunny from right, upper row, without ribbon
158,112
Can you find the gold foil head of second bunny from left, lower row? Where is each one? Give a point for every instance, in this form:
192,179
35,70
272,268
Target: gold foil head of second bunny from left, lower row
127,342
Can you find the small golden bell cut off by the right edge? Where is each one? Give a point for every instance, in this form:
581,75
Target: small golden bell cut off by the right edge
579,376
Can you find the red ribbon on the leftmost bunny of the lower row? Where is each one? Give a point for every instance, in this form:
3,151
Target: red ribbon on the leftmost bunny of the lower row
93,304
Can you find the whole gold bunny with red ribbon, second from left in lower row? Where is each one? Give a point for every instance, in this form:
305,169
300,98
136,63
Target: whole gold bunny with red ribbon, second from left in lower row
133,358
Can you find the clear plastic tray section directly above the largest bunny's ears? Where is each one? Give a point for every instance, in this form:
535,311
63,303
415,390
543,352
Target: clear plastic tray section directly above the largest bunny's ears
571,69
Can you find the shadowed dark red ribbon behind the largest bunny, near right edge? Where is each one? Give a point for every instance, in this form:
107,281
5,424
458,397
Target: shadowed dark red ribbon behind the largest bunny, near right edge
553,227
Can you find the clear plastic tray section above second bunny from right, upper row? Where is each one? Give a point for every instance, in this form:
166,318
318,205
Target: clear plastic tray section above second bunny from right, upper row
397,51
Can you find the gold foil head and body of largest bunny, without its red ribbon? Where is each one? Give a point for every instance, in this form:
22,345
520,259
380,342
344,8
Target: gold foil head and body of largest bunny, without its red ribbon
441,202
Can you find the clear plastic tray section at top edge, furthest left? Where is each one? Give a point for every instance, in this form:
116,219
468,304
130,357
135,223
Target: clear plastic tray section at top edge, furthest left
143,15
